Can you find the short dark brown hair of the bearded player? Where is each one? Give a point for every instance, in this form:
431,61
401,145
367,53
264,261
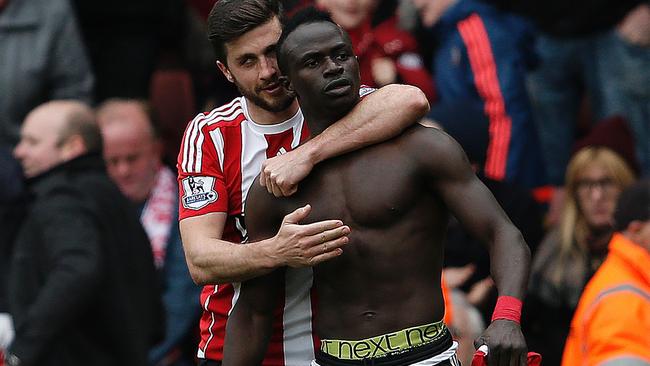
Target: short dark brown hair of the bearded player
230,19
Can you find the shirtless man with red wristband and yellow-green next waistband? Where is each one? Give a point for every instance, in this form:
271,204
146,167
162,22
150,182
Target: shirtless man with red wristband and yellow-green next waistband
380,301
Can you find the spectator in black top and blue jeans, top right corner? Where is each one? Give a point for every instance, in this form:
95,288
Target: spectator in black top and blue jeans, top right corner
598,49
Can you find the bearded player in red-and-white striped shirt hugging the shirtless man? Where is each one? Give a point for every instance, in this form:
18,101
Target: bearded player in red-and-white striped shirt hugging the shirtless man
224,149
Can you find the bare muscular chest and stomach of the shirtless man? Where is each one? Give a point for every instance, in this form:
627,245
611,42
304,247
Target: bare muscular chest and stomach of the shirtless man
393,261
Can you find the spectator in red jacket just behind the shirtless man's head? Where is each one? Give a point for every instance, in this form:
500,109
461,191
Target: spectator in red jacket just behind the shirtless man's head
386,53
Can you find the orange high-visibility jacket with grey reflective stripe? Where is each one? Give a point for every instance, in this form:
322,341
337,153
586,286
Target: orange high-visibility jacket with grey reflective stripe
612,320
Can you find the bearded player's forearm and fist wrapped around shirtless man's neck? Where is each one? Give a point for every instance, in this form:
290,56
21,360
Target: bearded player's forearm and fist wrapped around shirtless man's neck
381,115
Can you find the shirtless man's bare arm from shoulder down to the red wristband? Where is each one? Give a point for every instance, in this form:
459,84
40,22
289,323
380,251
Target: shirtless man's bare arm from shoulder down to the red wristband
476,208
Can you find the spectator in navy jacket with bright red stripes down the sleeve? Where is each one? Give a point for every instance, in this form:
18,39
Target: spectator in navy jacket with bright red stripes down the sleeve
483,56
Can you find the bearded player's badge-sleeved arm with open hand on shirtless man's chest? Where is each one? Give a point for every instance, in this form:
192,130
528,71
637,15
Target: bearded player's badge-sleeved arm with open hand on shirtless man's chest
203,217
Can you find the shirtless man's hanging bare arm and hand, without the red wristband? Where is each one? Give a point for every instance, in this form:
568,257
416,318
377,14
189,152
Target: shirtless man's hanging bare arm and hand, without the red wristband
449,173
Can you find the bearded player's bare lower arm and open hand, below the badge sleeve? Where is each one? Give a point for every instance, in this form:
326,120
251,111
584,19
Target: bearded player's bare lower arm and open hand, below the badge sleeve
212,260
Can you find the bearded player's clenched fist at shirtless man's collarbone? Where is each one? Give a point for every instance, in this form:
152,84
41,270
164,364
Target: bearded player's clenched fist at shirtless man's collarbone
281,174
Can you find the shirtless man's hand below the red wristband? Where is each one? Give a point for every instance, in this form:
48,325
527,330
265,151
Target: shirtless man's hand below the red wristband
506,344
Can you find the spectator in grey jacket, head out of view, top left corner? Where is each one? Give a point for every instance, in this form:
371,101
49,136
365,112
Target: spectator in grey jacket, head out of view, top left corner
43,58
